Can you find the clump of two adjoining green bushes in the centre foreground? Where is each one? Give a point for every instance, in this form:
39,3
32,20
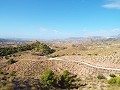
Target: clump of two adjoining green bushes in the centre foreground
64,81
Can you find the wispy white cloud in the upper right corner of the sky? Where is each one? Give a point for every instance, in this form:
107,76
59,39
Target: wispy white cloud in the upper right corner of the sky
112,4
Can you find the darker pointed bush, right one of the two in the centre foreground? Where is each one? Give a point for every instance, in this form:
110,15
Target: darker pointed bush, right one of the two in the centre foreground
65,80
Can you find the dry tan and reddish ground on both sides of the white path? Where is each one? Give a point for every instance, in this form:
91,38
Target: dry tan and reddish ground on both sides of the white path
100,55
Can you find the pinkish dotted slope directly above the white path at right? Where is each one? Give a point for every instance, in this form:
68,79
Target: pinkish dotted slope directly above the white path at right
111,61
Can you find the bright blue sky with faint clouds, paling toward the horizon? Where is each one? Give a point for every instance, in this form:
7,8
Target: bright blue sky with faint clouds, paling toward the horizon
58,19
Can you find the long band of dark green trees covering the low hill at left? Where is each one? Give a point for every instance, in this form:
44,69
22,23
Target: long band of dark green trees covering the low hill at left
41,47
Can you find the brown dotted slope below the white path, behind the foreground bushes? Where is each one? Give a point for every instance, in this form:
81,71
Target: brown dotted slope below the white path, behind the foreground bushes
36,68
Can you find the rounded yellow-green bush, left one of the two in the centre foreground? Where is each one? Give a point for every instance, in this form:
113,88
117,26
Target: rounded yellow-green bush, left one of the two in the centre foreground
48,78
